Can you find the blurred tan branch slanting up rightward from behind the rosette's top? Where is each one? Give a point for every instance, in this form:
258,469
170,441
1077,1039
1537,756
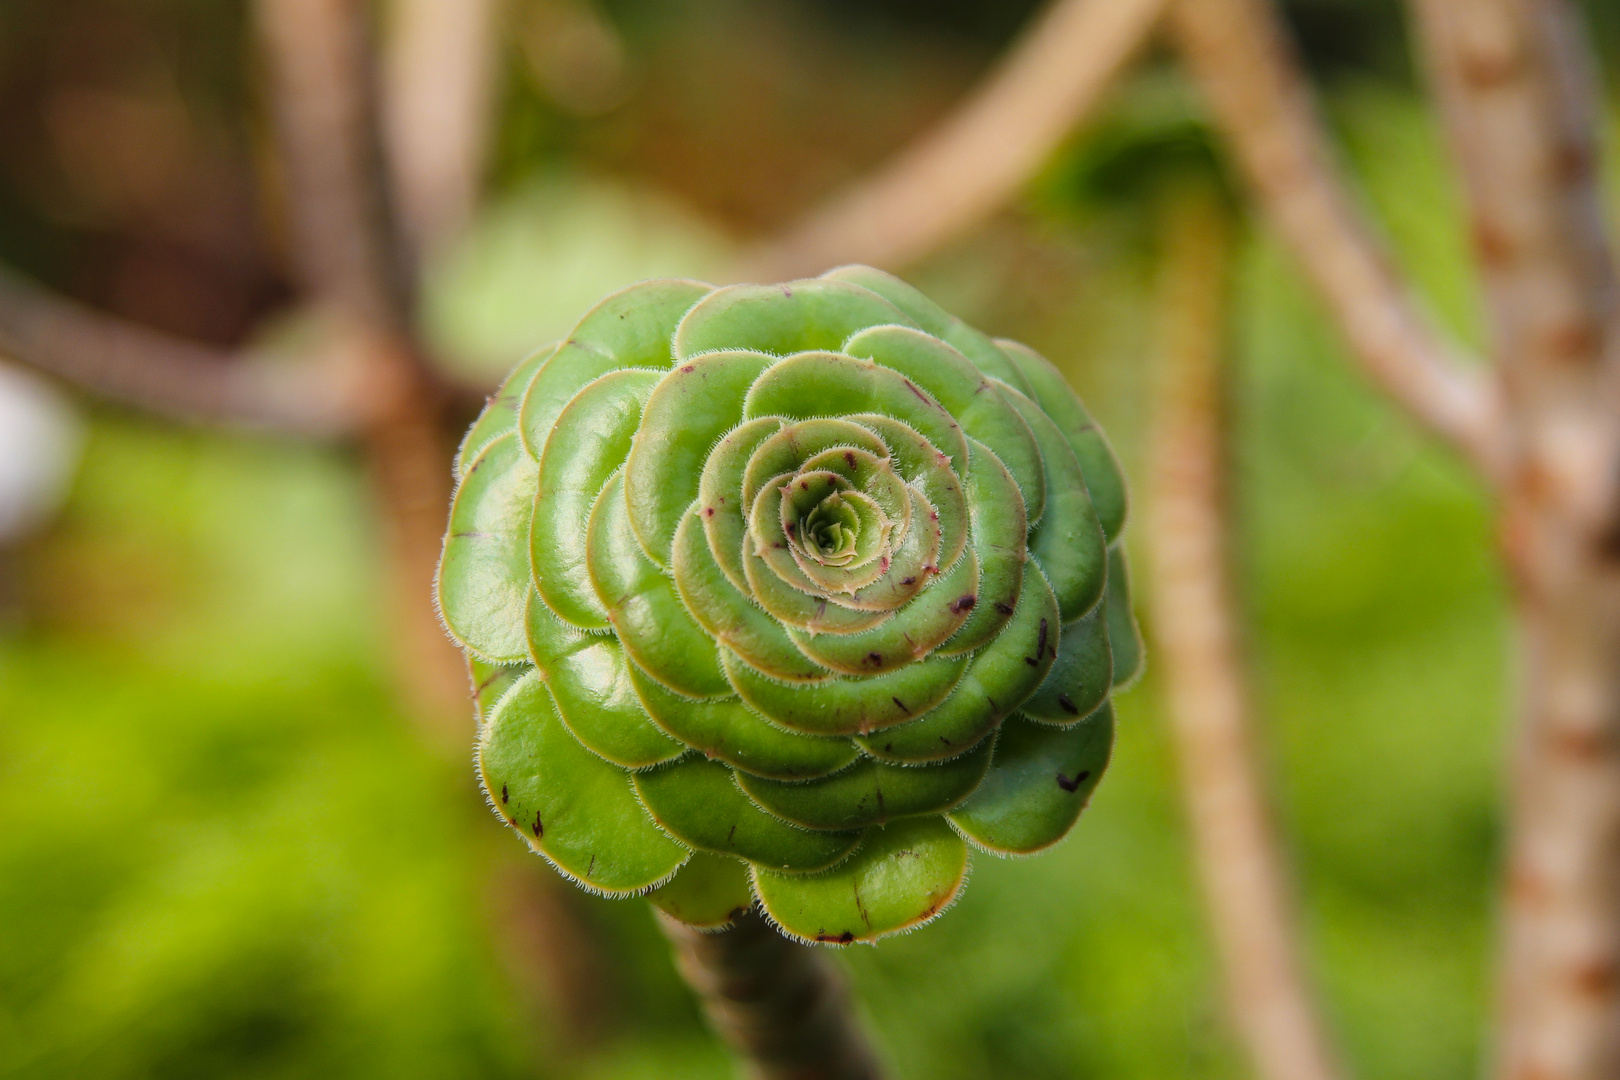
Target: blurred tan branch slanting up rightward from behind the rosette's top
976,159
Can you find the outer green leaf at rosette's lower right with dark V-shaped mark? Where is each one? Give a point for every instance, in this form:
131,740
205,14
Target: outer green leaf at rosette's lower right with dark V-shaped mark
1039,783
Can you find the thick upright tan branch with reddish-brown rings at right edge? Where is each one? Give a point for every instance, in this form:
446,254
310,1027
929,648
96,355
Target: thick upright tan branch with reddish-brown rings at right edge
1514,80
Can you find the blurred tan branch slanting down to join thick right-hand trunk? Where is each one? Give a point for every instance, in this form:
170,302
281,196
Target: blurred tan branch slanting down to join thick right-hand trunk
1240,56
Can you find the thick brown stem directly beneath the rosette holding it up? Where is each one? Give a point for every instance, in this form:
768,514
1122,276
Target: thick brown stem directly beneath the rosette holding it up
780,1006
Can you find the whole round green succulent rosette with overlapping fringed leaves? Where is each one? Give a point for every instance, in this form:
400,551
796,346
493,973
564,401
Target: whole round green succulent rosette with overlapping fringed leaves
788,593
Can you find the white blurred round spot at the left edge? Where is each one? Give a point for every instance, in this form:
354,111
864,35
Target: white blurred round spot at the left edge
41,438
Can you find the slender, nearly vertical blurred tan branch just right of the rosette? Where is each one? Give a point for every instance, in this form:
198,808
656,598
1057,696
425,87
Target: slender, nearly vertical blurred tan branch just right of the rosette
1238,856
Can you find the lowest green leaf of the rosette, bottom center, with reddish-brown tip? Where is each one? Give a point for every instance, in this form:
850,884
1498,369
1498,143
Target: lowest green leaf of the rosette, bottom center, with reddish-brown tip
905,875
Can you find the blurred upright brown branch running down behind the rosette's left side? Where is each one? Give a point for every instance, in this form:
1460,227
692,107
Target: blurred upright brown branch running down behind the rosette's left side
323,82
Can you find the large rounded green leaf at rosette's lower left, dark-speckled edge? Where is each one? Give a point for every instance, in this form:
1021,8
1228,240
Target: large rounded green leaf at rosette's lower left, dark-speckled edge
568,804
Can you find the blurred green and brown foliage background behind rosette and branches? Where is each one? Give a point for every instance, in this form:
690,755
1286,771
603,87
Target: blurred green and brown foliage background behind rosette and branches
226,853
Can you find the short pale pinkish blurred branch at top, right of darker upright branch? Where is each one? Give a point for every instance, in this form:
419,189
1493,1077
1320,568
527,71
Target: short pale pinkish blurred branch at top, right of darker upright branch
438,74
